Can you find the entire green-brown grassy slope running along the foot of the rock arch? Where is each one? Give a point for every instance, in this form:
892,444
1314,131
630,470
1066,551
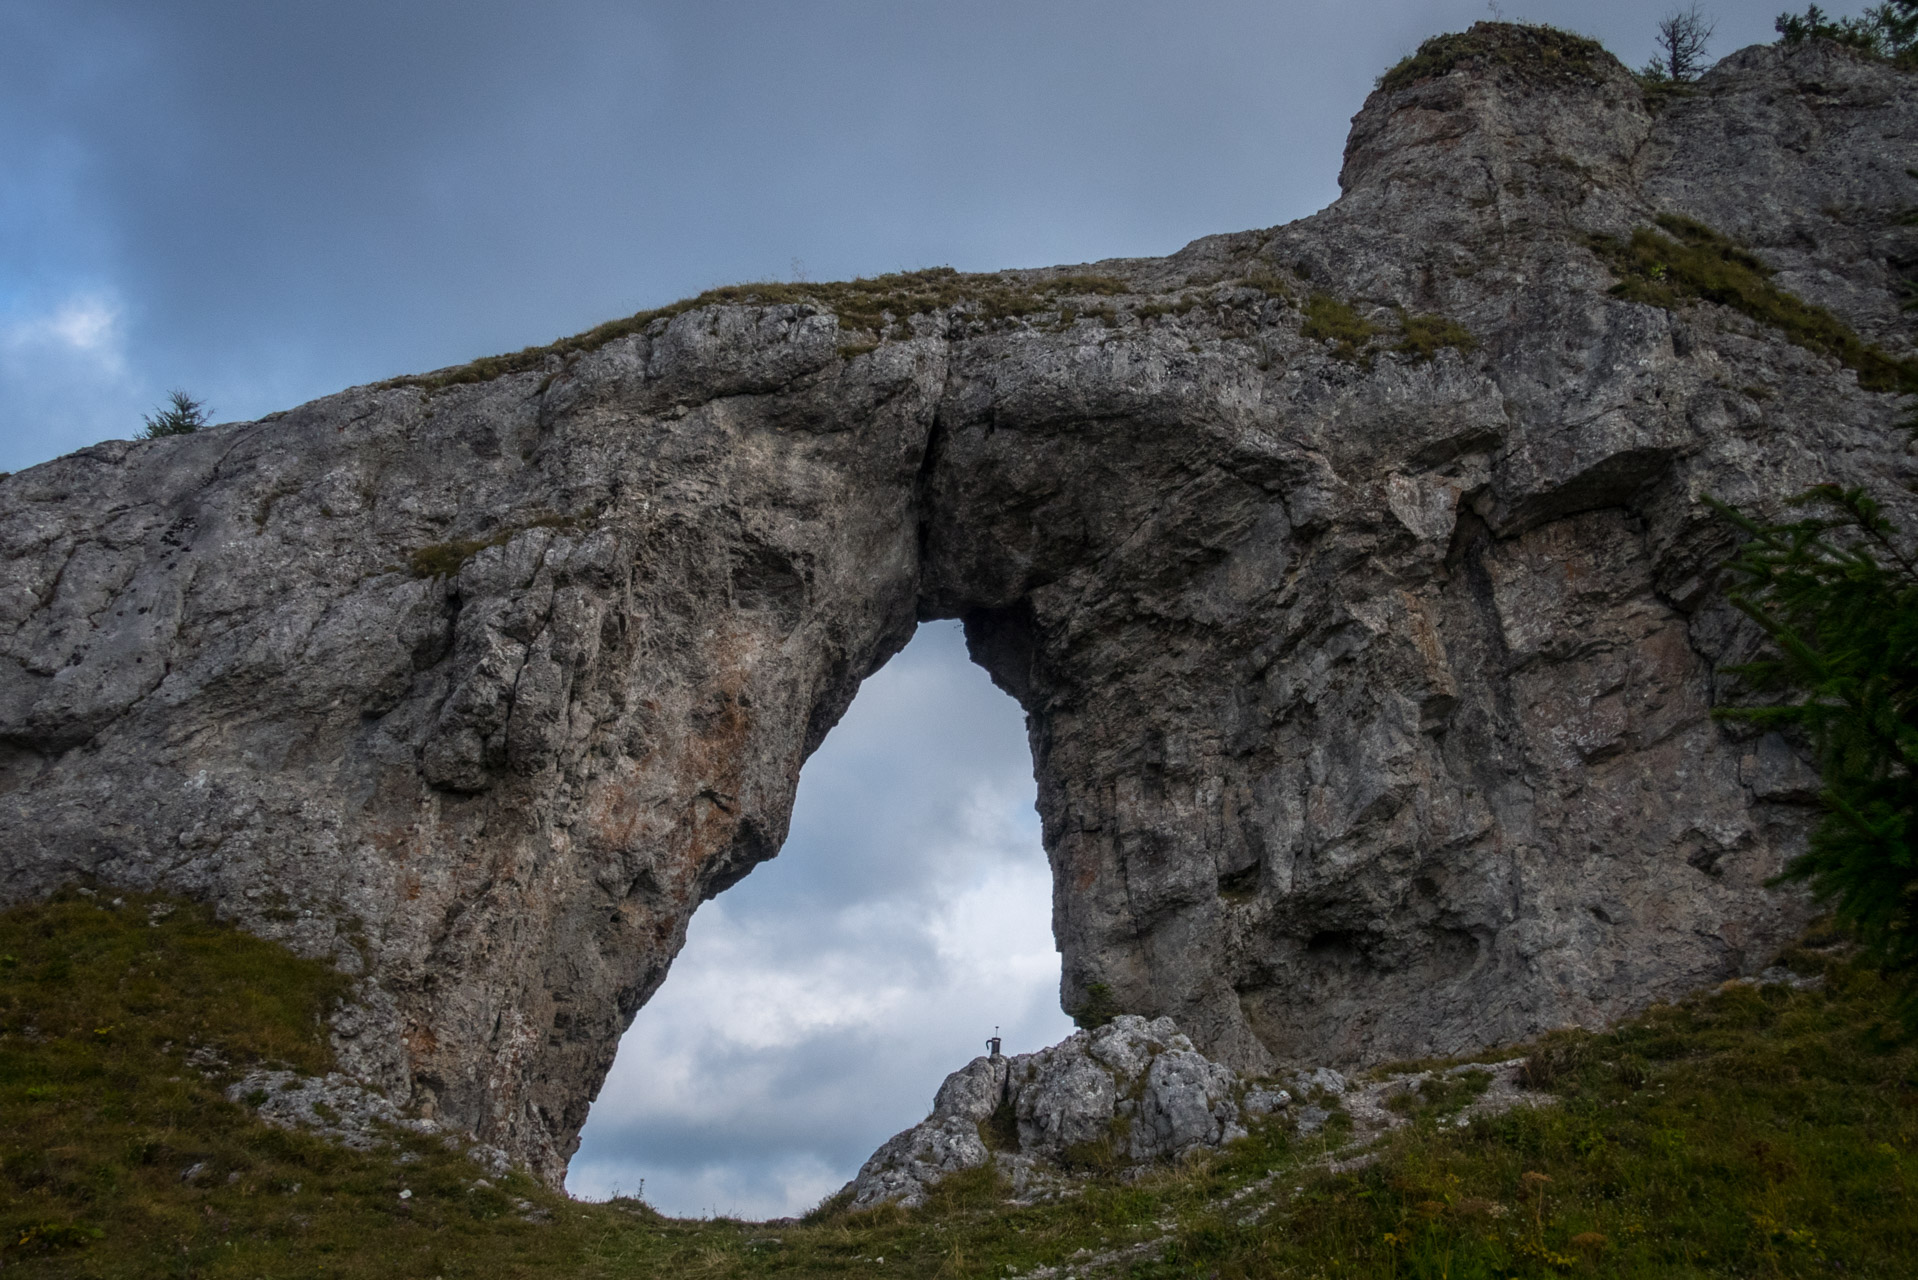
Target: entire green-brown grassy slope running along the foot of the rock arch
1748,1133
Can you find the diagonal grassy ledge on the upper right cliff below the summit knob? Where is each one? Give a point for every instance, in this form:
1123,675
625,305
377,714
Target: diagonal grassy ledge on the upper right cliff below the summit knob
1696,264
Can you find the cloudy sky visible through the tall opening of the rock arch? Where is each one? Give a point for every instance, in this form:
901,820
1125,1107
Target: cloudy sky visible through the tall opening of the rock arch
818,1005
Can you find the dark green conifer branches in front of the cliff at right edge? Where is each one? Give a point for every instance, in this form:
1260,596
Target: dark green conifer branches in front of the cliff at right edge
1838,600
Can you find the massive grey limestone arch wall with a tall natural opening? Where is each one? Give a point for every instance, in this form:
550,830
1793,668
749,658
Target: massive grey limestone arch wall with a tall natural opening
1355,581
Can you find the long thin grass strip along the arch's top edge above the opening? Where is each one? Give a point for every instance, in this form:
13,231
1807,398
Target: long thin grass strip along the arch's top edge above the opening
876,308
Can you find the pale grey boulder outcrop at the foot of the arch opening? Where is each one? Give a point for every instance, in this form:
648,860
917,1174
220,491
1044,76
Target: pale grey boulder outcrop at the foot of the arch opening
1136,1091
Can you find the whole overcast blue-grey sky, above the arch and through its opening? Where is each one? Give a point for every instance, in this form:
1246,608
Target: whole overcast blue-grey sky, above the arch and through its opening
268,202
